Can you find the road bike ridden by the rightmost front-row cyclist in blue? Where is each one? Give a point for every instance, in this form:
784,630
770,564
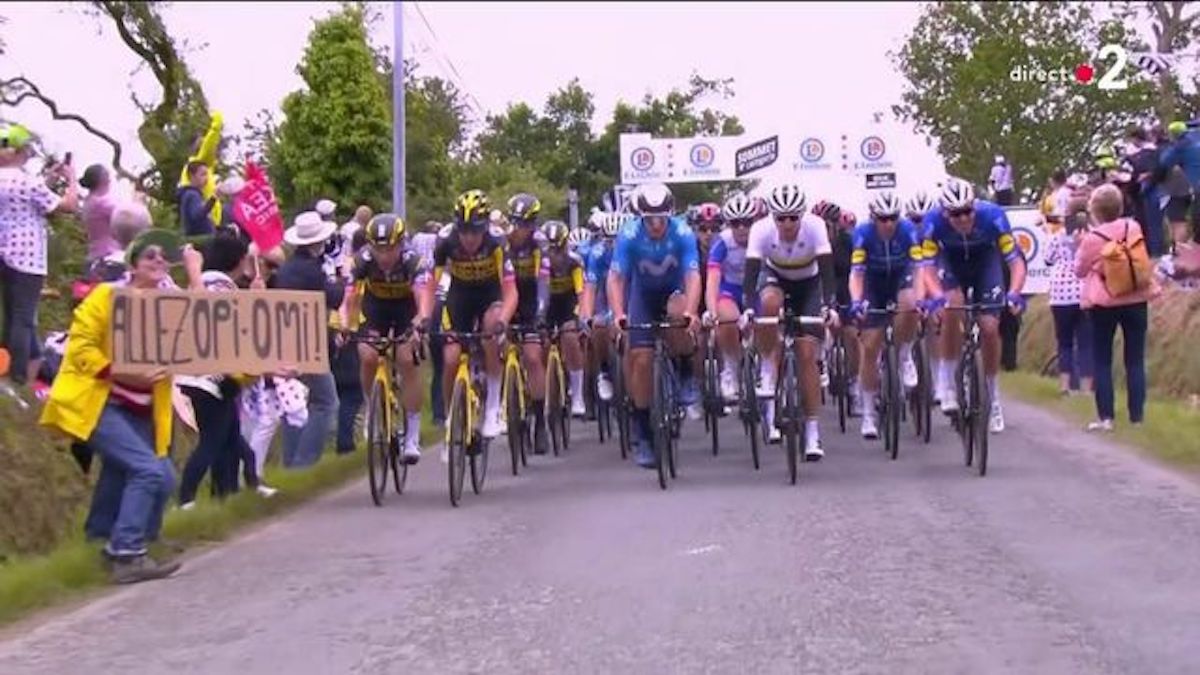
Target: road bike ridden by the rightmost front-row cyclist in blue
971,383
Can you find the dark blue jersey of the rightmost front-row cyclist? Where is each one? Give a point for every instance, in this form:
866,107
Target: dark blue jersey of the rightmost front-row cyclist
991,234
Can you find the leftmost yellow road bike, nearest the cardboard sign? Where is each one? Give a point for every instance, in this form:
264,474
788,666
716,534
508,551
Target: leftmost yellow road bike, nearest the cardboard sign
387,425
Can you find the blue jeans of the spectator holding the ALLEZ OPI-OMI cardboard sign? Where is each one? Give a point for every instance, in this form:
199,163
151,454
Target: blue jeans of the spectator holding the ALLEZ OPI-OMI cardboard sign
125,444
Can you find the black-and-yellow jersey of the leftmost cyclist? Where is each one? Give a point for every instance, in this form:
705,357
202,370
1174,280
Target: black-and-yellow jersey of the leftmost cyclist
389,300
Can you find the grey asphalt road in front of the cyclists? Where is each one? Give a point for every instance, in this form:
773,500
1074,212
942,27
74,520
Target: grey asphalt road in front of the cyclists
1071,557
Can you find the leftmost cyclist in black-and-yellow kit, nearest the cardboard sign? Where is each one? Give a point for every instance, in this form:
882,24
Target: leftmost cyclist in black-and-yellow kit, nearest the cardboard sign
389,290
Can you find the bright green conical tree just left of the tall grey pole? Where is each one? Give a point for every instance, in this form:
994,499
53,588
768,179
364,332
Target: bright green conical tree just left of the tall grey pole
335,140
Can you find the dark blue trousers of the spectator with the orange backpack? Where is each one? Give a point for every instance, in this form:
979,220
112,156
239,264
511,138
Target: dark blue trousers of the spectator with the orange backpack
1133,321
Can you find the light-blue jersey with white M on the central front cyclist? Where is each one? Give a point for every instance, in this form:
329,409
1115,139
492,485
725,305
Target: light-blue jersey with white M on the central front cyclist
657,265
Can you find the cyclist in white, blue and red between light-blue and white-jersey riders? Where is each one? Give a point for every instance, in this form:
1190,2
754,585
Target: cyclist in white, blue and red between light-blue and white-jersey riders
727,270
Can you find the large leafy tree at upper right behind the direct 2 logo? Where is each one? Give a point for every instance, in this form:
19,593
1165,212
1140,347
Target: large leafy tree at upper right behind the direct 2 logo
961,92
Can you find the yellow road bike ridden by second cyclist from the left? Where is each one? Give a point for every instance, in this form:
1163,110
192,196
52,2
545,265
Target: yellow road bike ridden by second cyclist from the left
465,441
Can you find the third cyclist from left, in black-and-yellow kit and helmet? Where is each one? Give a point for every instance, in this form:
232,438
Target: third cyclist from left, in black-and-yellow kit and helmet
526,249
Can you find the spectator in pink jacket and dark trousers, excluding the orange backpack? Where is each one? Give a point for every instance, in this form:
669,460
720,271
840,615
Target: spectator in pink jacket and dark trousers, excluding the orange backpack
1127,312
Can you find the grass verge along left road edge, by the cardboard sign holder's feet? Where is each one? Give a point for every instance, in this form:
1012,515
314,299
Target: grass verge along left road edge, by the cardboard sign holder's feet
74,569
